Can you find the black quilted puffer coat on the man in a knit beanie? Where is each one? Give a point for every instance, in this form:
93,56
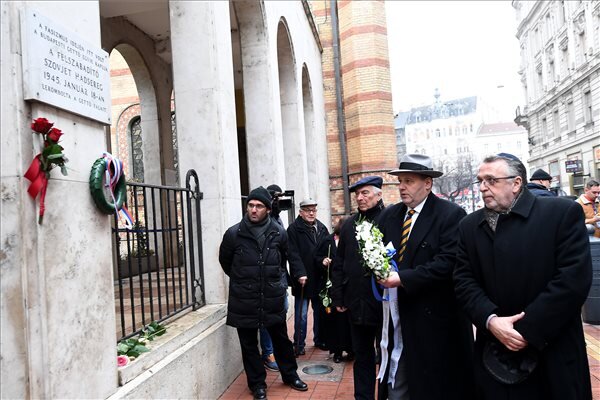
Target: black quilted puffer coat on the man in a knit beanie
256,290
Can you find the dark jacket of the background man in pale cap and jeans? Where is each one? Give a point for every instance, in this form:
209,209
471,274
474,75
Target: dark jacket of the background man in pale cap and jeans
302,245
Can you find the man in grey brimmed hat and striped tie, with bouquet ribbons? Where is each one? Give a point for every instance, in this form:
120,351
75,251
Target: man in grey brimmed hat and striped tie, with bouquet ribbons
426,345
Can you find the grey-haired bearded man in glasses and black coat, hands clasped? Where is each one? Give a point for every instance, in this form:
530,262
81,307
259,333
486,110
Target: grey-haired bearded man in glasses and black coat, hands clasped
523,272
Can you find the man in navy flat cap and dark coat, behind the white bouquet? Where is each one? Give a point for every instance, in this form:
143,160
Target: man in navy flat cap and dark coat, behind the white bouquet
352,292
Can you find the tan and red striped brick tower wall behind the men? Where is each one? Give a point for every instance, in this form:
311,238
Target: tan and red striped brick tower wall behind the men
367,97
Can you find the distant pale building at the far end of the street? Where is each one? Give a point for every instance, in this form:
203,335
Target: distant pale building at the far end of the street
457,135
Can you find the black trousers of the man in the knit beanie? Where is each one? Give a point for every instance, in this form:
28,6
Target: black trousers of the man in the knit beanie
282,348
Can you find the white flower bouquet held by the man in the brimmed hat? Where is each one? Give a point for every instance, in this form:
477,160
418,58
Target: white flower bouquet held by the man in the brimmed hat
376,258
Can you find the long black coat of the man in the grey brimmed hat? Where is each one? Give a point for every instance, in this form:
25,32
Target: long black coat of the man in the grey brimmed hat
437,336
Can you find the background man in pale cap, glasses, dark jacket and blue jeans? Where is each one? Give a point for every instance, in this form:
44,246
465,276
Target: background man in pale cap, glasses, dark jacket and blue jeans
304,234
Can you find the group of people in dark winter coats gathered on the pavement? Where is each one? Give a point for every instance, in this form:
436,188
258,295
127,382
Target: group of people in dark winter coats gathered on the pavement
478,306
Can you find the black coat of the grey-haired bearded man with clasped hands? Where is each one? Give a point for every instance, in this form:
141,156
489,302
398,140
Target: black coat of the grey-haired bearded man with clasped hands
538,261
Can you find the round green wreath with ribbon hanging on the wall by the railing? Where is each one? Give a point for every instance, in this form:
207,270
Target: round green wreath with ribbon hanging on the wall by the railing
107,172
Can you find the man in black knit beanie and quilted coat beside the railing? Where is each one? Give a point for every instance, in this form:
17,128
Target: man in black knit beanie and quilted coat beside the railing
252,254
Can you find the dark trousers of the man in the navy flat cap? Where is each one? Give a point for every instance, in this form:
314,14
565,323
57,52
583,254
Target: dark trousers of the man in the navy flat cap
363,344
